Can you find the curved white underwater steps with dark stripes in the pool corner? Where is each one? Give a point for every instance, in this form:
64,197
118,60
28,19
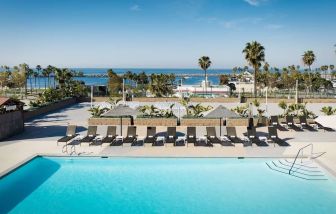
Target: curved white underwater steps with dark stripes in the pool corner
307,170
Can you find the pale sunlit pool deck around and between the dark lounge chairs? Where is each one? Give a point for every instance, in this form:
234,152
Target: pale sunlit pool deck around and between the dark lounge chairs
41,134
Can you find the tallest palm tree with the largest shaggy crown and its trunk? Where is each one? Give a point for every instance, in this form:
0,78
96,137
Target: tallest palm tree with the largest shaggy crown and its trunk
254,54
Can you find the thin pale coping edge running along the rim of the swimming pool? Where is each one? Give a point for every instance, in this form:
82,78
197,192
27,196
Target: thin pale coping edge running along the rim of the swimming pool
32,157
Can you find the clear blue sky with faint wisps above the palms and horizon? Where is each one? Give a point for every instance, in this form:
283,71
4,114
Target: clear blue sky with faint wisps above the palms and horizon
164,33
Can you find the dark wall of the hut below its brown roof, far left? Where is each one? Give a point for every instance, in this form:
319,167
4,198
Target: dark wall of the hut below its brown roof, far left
11,123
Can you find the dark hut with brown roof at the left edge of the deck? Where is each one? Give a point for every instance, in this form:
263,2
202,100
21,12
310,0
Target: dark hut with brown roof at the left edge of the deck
11,117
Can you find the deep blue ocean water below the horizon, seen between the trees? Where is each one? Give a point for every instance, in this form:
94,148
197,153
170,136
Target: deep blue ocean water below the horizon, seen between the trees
192,80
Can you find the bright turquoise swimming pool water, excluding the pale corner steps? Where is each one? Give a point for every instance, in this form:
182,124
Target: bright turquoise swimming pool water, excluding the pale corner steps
160,185
